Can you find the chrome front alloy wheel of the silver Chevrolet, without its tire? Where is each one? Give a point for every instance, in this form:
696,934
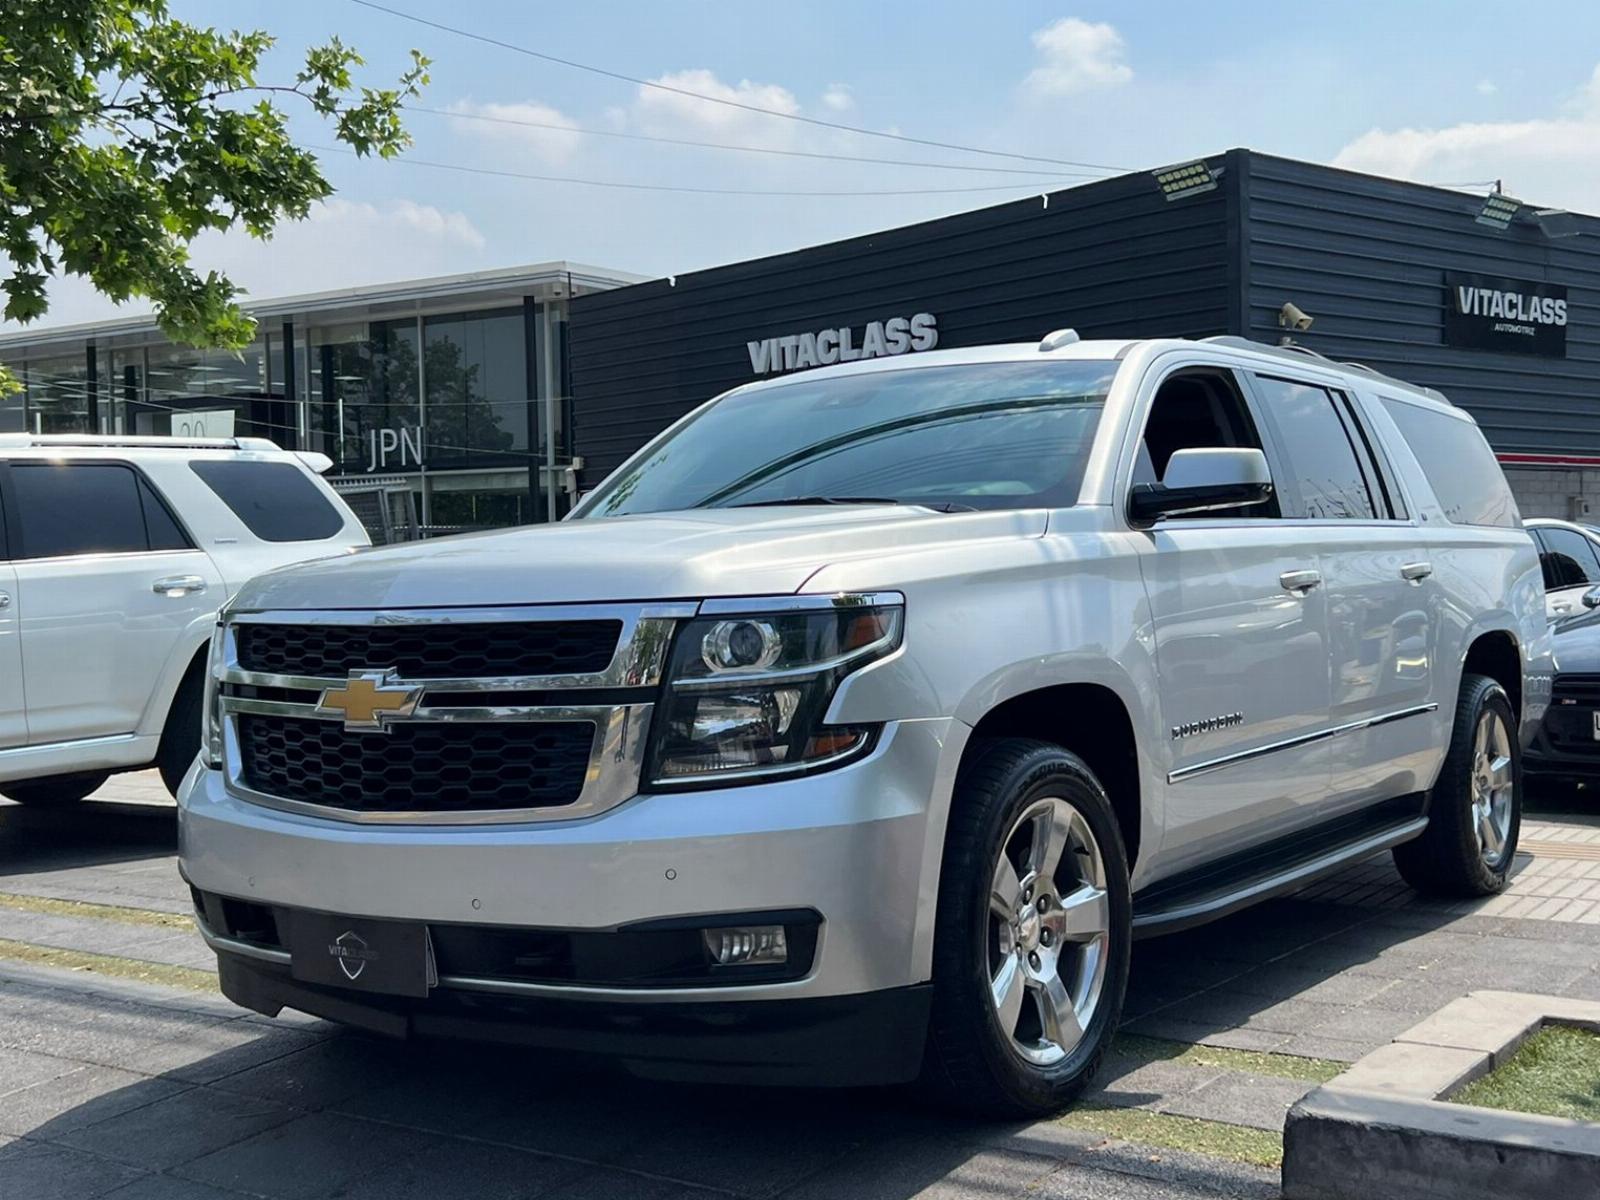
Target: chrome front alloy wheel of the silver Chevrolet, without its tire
1049,932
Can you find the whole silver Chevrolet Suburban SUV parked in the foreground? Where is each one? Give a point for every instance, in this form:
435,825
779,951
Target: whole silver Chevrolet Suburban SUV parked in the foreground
855,727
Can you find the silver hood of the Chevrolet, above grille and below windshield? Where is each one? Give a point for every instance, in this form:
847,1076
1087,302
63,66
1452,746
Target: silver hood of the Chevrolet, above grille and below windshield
682,556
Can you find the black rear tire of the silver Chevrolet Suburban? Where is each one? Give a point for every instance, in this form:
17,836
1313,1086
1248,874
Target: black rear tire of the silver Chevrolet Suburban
1450,858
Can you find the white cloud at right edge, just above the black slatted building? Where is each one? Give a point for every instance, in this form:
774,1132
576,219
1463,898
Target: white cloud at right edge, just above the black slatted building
1553,159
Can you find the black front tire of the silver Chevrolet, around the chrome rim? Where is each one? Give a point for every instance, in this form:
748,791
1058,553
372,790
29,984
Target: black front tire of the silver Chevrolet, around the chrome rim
972,1062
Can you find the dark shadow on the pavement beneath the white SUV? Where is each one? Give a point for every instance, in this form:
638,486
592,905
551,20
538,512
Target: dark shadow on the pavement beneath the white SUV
82,836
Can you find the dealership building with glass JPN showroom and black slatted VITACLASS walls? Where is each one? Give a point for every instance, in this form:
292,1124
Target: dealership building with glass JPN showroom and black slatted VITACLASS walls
497,398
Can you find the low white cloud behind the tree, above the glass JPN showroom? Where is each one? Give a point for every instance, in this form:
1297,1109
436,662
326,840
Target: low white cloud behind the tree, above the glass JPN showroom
342,244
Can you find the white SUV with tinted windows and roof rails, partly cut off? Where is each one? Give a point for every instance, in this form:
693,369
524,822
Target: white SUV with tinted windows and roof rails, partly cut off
114,558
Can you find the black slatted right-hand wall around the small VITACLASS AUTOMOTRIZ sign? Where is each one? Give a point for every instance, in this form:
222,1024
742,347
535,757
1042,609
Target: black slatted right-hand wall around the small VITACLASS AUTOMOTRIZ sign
1369,257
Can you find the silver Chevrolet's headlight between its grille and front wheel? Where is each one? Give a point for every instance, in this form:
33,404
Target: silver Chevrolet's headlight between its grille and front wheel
748,692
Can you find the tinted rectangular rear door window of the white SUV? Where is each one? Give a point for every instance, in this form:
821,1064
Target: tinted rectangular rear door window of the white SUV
78,508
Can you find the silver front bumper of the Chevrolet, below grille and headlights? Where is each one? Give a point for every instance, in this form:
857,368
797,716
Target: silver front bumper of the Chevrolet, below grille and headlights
858,846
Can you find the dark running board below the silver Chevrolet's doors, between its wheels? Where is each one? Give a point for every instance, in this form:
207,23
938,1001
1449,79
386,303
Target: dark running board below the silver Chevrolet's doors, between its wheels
1194,898
